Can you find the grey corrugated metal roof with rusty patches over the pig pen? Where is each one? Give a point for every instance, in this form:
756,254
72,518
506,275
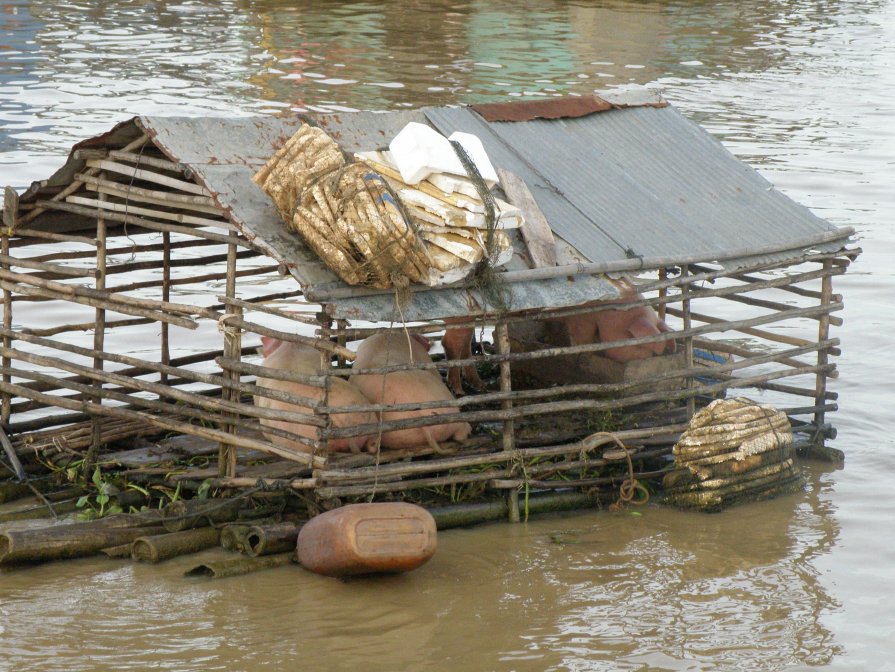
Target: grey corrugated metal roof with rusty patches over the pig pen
636,181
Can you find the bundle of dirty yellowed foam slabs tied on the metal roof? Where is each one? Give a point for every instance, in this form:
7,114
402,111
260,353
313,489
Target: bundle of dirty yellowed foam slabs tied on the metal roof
354,220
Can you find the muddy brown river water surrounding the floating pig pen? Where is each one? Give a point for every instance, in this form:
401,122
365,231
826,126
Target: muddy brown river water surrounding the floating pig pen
802,90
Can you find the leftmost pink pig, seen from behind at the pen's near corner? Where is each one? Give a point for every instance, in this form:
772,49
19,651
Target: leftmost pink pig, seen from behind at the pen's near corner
303,359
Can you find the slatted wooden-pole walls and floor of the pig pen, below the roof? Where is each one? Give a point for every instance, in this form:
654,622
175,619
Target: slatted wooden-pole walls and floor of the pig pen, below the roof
125,250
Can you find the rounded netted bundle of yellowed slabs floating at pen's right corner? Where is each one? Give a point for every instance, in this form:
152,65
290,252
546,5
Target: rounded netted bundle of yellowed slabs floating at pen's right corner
733,450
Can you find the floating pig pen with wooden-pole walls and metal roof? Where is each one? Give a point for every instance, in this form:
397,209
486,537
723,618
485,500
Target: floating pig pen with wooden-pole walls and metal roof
139,279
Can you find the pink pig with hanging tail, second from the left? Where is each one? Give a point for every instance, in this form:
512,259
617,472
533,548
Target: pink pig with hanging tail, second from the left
404,387
